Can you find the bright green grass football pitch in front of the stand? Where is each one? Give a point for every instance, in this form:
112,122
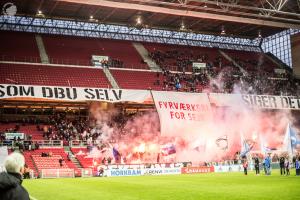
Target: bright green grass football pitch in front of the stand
174,187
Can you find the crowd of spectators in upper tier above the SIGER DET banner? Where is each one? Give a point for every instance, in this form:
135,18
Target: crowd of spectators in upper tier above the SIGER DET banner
252,76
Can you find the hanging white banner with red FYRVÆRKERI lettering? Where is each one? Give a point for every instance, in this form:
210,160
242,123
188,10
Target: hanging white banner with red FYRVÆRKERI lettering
181,113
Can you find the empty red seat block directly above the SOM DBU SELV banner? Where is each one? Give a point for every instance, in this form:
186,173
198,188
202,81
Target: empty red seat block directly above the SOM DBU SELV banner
54,76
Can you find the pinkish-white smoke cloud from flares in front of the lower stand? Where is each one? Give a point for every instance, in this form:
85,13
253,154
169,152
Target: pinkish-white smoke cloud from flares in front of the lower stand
138,139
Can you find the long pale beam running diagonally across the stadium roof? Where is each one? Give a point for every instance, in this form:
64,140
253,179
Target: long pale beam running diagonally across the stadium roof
183,13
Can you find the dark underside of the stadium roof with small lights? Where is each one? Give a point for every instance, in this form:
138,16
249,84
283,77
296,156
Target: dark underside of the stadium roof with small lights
239,18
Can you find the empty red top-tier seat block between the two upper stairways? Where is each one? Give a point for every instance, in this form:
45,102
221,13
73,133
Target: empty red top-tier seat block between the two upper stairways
60,48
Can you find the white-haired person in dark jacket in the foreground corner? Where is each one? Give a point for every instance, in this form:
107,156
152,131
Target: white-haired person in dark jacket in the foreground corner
11,180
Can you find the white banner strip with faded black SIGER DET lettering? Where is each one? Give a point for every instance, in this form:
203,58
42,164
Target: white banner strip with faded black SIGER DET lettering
255,101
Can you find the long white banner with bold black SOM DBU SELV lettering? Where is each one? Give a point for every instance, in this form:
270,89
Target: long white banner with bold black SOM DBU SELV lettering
73,93
